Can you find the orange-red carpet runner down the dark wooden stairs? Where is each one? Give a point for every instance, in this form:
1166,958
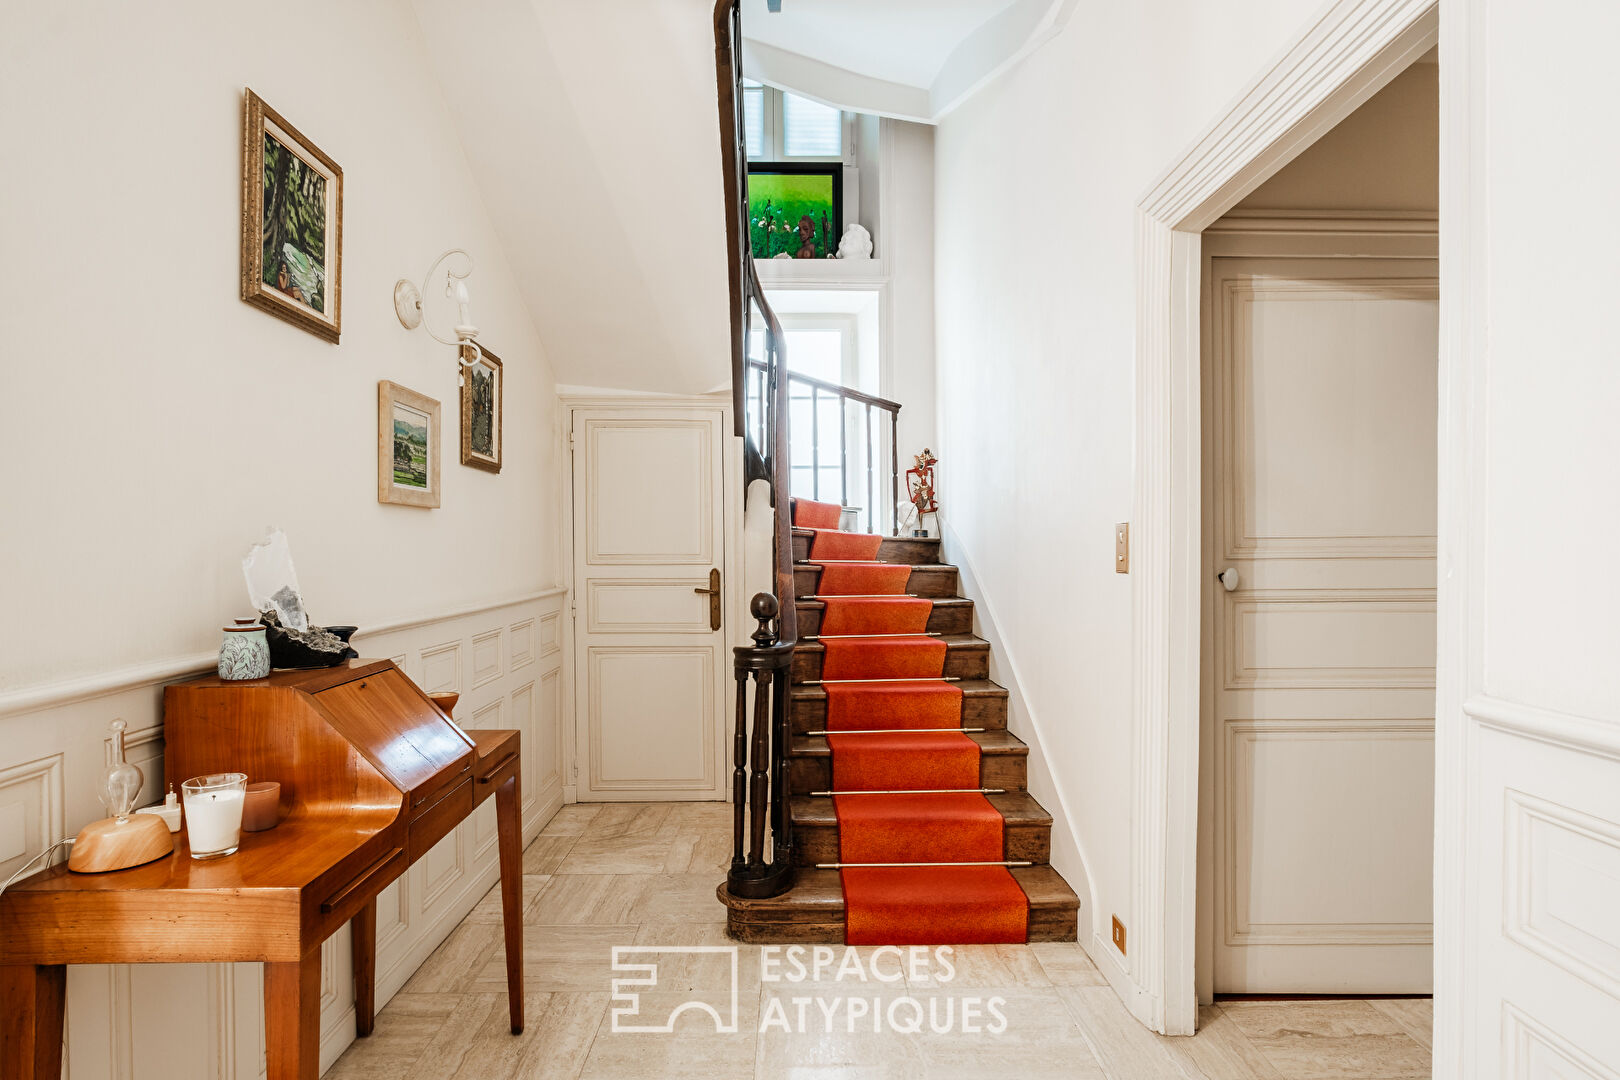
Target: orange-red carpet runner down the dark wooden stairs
898,812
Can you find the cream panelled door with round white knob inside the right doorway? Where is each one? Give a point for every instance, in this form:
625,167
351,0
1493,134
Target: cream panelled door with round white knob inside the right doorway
1321,464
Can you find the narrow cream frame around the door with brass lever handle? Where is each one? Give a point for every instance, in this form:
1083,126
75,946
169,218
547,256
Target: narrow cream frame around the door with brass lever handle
735,600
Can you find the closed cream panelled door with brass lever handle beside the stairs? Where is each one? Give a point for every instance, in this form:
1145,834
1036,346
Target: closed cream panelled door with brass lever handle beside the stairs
649,647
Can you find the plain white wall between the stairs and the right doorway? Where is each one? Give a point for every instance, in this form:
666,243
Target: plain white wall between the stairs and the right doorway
1036,185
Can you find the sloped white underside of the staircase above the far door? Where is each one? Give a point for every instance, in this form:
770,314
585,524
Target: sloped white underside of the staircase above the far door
592,129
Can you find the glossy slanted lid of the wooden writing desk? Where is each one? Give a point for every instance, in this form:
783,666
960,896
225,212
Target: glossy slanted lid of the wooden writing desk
396,728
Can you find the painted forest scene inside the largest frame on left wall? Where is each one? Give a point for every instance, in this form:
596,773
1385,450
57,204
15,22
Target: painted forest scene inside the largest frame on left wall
294,226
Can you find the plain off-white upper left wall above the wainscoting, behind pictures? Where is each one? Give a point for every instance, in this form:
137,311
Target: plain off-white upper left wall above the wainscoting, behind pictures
153,422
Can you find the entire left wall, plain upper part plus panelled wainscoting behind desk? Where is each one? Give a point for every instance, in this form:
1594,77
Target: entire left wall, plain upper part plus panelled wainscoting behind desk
153,425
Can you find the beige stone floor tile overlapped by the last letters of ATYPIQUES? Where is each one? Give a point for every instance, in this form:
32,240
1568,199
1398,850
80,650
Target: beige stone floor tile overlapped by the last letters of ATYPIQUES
1039,1042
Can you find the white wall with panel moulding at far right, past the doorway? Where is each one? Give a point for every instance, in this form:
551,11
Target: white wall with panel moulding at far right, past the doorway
1528,887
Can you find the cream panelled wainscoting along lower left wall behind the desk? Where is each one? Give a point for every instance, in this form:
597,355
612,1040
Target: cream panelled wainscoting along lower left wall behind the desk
207,1023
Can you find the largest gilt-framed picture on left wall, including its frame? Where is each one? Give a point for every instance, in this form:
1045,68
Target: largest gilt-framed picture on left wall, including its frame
292,223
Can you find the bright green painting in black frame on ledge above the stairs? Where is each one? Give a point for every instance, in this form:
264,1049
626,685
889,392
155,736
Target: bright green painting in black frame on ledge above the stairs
796,210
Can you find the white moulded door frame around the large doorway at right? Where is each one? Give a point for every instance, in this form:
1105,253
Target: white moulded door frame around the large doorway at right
1347,56
